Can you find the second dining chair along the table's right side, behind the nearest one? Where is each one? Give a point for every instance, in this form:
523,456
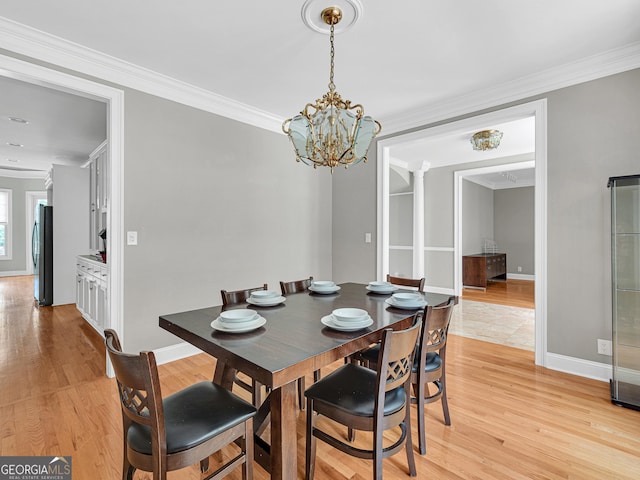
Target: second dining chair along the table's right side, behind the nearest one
429,363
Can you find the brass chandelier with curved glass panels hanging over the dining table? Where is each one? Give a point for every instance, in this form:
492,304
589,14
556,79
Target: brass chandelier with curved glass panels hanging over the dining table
331,131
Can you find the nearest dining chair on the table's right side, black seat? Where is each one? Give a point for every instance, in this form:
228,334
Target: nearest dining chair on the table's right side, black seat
362,399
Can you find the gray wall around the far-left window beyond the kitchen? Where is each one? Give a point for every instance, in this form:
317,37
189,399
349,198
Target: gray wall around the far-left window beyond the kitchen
19,187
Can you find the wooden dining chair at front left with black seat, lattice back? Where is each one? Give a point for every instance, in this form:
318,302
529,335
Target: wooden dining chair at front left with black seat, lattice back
162,435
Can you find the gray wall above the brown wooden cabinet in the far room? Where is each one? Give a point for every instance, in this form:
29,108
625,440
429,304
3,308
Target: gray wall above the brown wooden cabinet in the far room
513,226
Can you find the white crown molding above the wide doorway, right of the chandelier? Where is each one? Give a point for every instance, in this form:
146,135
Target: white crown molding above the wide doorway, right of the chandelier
584,70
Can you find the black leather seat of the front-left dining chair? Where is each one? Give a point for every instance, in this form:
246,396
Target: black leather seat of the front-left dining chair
192,416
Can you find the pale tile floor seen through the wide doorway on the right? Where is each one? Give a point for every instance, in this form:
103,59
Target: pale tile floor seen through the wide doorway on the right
511,326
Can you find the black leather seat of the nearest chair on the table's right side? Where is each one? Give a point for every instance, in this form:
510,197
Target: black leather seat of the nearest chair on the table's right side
352,388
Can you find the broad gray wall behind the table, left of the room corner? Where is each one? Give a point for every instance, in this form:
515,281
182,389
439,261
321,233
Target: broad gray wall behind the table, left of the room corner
217,204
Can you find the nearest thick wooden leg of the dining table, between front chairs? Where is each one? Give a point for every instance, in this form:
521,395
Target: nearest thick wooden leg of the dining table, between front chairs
283,432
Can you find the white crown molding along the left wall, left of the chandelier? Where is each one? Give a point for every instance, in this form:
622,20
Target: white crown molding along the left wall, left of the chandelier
42,46
